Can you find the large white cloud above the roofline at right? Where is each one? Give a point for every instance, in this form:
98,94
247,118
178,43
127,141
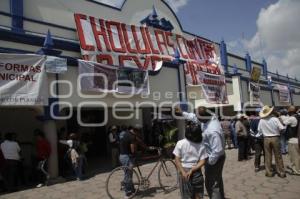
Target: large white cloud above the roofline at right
277,38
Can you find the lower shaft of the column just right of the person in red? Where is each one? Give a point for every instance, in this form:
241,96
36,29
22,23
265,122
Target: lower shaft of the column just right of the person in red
51,135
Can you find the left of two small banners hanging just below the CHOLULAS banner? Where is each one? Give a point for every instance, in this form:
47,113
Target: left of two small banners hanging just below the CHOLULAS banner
97,77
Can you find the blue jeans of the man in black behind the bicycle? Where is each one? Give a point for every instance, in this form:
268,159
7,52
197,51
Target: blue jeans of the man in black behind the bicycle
126,160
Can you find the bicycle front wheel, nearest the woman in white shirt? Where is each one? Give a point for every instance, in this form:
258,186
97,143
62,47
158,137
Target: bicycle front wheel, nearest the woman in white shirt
168,175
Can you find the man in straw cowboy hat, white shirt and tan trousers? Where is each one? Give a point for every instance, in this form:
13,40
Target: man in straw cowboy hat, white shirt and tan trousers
271,128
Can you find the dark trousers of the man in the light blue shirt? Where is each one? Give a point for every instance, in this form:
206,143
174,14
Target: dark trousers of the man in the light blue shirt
214,180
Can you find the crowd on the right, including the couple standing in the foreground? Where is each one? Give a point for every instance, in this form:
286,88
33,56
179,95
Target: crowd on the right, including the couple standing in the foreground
265,131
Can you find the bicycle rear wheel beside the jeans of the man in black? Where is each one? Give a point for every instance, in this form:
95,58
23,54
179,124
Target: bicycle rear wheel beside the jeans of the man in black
115,182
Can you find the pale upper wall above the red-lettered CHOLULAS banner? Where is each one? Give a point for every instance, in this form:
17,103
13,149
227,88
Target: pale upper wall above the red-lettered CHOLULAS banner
61,12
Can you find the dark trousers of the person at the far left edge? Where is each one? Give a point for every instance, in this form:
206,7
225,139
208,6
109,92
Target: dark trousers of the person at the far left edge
11,174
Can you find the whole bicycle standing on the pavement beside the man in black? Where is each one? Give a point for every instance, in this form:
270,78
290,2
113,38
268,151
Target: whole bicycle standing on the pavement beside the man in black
167,177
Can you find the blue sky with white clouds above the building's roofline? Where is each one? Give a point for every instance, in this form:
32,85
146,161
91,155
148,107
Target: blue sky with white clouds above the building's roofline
267,29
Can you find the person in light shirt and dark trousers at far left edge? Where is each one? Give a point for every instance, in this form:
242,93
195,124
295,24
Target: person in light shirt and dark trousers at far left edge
10,150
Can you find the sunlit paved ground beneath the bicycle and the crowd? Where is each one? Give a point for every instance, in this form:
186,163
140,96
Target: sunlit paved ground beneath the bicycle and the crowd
239,178
